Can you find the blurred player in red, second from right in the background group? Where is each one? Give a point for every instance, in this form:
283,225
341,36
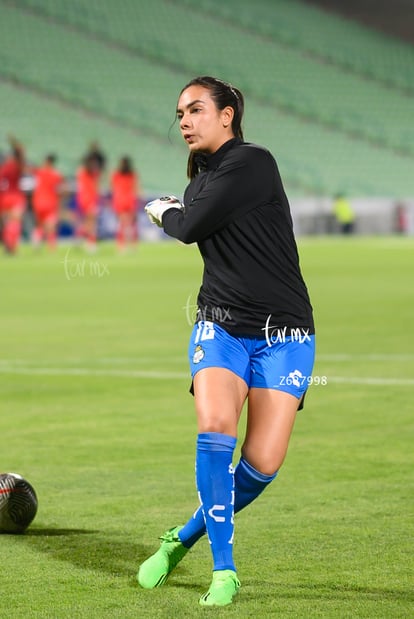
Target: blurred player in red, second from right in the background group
87,196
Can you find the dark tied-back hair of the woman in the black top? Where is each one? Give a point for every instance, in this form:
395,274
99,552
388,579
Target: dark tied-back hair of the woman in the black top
223,95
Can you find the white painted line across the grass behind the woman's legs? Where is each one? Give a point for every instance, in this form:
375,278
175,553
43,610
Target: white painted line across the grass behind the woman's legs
157,375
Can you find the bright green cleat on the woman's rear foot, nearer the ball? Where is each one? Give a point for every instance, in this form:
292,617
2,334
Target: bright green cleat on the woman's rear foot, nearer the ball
155,570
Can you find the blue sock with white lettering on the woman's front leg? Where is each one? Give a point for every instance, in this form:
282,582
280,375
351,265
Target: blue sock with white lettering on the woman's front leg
215,485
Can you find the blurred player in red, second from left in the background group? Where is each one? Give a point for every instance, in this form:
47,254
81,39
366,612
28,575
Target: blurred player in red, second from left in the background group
46,201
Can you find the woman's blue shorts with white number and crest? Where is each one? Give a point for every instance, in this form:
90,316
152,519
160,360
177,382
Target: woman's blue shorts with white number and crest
284,365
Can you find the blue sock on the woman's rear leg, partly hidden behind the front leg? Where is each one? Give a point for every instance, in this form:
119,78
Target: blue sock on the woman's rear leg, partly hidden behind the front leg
248,484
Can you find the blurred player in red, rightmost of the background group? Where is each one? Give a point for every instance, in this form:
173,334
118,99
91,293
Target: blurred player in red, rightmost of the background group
125,191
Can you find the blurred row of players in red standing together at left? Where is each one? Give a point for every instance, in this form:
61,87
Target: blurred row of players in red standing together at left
37,202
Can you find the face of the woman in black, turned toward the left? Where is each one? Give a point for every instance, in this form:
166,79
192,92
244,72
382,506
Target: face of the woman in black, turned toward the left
202,125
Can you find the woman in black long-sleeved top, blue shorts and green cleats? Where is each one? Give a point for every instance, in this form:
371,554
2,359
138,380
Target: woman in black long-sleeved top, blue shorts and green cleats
254,334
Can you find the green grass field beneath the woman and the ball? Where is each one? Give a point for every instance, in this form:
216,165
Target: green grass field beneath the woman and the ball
96,415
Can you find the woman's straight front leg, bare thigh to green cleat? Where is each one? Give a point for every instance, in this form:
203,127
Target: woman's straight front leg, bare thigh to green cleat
219,398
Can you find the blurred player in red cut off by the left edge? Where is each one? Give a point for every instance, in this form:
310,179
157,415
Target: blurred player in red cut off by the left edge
12,198
